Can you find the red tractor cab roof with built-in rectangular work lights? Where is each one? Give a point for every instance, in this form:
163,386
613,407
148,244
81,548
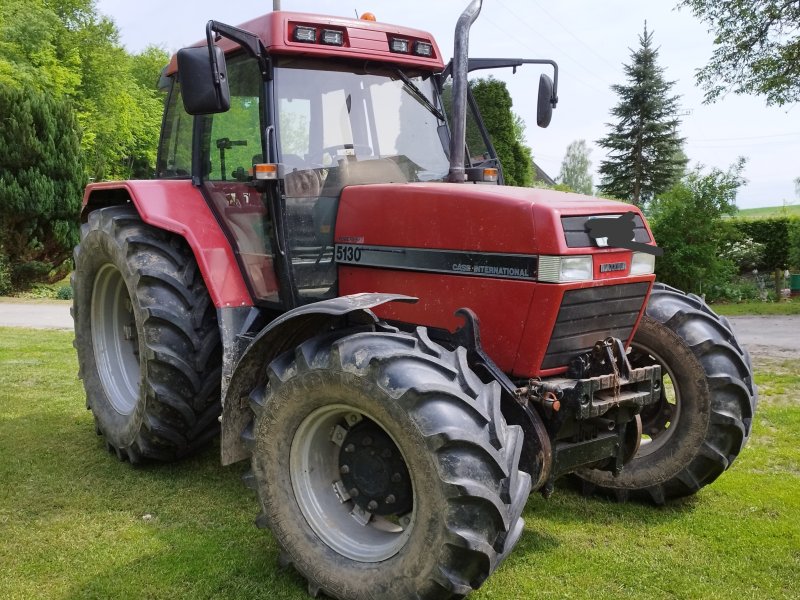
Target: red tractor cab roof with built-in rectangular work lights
363,39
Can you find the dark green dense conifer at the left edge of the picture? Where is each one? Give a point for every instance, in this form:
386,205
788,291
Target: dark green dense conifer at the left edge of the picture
41,185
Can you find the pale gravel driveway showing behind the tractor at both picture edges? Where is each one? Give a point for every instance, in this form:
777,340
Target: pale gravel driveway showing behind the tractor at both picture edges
775,336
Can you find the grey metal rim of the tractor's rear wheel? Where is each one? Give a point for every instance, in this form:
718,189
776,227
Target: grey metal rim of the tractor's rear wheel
115,341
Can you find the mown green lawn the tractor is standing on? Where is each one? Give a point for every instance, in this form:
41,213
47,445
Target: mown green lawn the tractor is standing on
76,523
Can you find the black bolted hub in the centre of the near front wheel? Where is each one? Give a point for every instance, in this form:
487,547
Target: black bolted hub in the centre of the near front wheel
373,471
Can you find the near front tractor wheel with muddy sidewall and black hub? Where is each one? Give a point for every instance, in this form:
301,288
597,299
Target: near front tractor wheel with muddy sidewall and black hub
384,467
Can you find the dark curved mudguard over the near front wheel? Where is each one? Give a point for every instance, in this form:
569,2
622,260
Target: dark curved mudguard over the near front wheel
282,335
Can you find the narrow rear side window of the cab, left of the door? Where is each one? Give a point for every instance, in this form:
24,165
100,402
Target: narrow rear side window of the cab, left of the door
175,147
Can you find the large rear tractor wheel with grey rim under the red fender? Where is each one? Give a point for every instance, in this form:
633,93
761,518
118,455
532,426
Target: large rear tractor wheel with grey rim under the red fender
147,339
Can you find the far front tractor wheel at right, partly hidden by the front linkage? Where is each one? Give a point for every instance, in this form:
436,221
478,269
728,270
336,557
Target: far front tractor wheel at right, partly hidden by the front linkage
702,422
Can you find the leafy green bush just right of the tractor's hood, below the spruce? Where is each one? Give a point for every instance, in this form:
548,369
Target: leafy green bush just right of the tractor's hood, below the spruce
687,222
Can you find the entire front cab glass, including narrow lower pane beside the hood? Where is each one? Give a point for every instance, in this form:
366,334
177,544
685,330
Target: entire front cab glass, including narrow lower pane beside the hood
341,125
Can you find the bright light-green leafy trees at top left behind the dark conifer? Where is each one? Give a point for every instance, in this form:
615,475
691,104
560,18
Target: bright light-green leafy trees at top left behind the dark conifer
66,49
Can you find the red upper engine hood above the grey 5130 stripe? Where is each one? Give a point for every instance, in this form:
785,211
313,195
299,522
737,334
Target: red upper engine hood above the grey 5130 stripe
480,218
